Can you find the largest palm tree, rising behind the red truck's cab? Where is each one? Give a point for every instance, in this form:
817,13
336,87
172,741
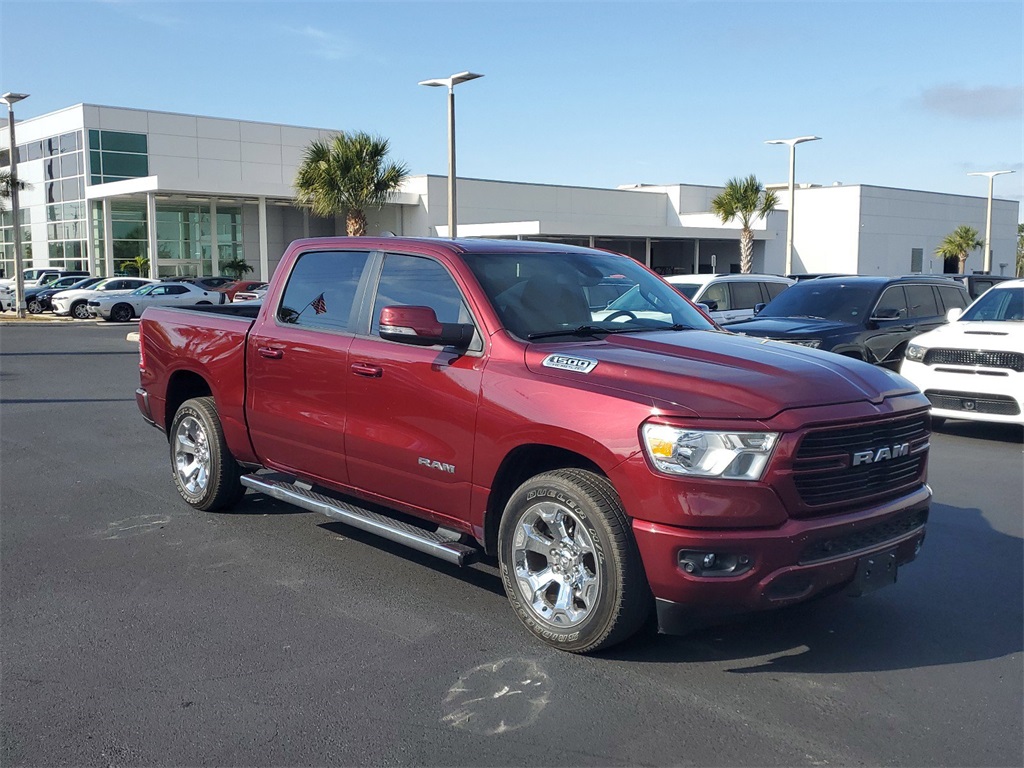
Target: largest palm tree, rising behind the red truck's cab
348,175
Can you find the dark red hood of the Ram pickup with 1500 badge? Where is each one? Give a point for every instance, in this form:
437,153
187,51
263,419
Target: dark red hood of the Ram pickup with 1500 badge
716,375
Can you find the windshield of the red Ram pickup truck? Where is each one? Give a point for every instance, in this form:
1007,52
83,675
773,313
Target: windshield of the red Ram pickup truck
562,295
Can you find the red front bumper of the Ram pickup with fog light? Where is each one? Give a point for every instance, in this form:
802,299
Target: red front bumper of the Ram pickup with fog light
785,566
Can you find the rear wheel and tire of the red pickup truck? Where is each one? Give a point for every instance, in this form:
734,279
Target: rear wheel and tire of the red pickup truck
204,471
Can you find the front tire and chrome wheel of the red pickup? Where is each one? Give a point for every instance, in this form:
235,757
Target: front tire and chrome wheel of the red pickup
570,565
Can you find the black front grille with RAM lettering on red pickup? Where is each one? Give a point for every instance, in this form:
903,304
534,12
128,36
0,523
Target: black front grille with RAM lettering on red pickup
852,464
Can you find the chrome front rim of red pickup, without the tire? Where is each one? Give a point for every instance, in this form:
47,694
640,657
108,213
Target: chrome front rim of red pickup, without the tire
556,566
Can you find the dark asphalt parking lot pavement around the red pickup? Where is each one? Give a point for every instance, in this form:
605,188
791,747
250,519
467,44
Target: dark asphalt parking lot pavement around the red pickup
138,631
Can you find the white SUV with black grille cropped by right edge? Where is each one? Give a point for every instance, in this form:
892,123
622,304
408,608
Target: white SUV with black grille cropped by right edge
973,368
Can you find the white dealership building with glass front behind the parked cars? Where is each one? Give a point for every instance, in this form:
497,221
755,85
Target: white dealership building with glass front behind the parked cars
109,185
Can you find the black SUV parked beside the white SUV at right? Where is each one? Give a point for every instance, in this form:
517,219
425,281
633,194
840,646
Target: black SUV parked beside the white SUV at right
872,319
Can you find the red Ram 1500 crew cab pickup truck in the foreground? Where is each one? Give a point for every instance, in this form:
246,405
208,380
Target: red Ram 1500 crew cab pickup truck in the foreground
474,397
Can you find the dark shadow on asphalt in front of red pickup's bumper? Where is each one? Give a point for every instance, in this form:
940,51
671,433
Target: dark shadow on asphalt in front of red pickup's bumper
961,602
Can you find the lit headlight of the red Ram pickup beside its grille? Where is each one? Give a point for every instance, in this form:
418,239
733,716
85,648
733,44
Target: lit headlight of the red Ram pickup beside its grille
734,456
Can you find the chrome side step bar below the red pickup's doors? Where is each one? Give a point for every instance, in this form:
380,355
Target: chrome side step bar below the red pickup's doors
438,544
